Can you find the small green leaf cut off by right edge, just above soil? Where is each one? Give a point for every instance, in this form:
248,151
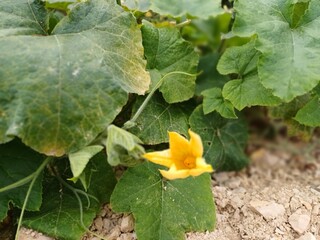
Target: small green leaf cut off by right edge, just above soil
309,115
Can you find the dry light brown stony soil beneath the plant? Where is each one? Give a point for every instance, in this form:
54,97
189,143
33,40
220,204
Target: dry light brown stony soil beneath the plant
276,198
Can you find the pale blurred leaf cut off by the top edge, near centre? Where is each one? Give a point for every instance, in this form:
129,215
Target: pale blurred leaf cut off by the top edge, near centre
200,8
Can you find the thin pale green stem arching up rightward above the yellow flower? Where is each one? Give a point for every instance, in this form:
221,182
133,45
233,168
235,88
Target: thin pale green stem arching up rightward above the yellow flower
132,122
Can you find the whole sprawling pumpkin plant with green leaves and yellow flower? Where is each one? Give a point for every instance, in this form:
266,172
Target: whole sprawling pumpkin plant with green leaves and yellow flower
87,86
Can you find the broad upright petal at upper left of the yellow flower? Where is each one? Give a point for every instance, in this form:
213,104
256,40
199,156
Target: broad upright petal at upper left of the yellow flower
179,147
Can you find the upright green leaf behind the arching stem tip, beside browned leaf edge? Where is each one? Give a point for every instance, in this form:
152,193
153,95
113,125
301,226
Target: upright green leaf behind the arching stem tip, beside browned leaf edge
172,57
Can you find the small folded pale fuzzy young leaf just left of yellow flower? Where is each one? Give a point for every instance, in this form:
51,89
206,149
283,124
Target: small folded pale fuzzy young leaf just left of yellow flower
123,147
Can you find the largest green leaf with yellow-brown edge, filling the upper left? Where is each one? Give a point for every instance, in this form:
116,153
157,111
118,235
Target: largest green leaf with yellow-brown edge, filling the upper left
58,92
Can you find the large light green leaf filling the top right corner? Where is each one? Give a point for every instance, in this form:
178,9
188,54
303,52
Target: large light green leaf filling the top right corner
289,42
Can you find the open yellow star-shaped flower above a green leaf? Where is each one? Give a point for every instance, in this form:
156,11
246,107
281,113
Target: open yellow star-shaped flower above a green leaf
183,158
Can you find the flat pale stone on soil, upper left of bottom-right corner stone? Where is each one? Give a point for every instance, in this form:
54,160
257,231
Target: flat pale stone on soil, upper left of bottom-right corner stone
269,210
